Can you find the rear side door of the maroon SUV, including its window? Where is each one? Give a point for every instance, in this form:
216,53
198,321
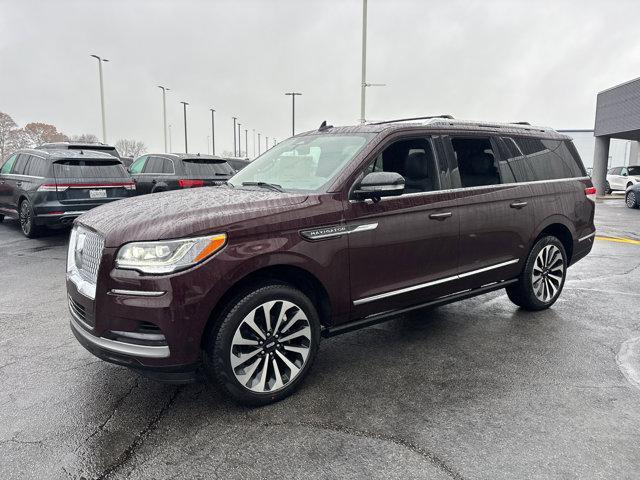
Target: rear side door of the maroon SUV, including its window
496,216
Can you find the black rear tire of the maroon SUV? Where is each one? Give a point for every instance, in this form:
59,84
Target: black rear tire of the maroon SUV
537,295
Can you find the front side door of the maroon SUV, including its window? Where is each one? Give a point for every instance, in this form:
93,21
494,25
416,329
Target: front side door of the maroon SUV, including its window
403,250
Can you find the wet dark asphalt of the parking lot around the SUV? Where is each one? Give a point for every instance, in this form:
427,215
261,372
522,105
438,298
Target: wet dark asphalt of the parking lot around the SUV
473,390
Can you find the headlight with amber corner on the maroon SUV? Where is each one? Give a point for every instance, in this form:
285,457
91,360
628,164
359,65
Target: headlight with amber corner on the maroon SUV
168,256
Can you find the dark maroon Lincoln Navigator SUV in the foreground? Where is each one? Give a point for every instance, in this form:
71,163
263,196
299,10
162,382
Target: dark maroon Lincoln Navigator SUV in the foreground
329,231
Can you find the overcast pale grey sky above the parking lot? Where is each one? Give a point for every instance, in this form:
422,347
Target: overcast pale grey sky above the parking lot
504,60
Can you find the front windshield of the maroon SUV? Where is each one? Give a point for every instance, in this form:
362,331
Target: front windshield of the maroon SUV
303,163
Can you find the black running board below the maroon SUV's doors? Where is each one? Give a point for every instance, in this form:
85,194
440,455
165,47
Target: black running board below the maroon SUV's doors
385,316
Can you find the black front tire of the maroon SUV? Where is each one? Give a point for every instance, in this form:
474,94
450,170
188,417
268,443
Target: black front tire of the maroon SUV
219,345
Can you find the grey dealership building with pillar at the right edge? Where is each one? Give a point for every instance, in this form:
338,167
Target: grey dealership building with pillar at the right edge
617,122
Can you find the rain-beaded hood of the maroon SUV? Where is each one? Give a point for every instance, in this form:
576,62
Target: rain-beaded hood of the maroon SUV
183,213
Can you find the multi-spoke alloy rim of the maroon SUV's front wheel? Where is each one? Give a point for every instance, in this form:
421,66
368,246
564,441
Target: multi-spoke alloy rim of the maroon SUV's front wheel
270,346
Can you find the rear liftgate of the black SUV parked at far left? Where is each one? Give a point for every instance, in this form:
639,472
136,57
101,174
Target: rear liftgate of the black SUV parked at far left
91,181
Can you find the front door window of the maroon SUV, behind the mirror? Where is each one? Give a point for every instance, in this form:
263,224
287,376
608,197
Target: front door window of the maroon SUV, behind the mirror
414,160
